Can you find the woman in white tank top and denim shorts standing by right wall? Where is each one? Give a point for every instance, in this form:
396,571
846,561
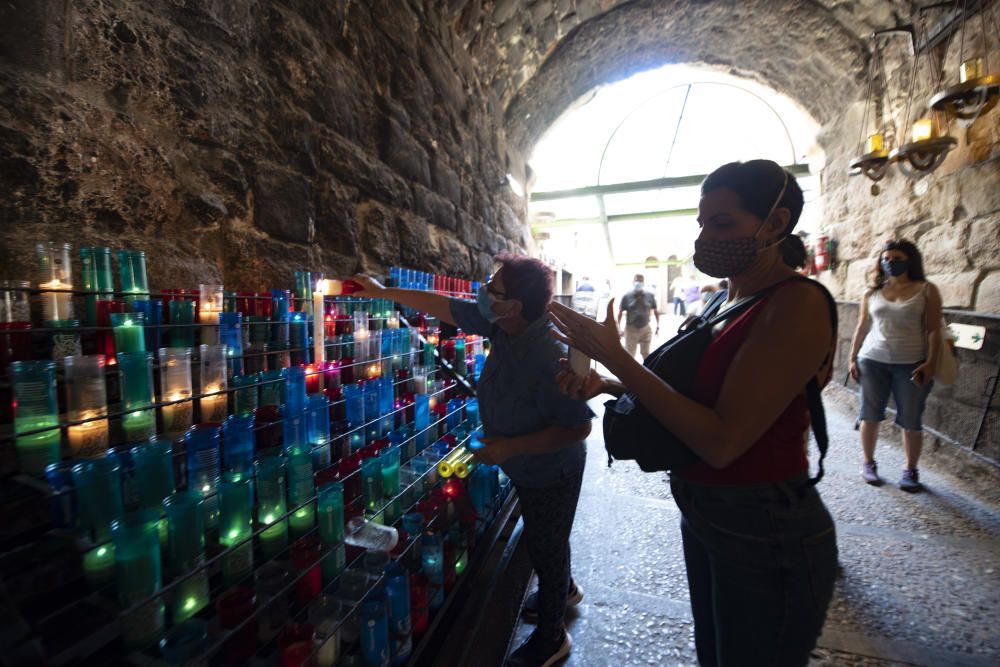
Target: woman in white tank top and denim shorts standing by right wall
895,351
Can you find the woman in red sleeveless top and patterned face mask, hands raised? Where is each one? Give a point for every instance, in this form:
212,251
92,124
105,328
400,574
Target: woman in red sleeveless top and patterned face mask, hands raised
759,544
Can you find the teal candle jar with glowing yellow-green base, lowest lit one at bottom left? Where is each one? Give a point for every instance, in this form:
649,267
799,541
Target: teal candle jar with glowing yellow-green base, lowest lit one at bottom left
186,554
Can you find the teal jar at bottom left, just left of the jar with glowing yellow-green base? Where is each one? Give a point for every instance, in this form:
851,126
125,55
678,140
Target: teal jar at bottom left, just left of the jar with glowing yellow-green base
138,576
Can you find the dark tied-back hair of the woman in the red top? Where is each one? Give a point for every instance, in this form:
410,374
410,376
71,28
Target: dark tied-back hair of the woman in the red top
757,184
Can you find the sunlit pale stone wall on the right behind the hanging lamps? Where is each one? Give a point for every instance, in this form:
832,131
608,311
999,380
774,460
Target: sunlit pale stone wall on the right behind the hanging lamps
955,222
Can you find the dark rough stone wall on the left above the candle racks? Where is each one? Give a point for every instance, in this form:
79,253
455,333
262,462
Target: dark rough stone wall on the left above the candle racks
238,140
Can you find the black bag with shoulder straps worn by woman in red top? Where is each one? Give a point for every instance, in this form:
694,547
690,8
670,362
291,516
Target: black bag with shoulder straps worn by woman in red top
631,432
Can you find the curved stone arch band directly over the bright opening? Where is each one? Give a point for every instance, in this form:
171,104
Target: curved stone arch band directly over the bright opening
805,54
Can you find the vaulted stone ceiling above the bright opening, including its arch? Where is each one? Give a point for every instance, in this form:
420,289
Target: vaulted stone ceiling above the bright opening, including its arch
541,55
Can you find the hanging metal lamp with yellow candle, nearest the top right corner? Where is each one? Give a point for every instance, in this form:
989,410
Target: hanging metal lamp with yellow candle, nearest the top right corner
976,93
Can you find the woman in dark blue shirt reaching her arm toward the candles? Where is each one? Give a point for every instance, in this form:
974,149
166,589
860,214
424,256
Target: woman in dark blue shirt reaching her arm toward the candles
534,431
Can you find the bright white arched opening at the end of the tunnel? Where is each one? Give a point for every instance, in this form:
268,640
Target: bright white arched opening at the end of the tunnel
616,178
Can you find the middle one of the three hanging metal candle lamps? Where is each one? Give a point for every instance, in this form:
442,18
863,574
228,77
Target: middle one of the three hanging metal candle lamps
929,142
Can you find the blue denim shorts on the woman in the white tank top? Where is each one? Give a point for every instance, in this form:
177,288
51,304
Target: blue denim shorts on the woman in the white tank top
878,379
